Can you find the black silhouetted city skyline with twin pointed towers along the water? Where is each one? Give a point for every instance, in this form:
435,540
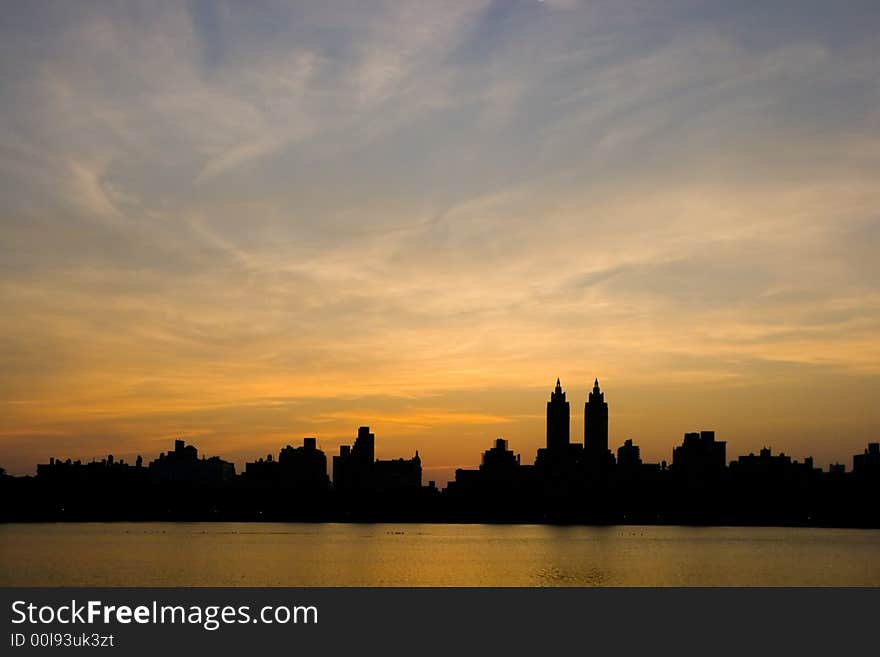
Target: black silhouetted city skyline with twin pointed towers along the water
569,482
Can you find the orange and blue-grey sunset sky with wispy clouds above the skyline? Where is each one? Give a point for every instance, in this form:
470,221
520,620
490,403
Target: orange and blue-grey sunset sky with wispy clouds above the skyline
245,223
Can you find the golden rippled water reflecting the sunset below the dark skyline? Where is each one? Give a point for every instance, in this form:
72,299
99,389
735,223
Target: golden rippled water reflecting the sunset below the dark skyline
278,554
